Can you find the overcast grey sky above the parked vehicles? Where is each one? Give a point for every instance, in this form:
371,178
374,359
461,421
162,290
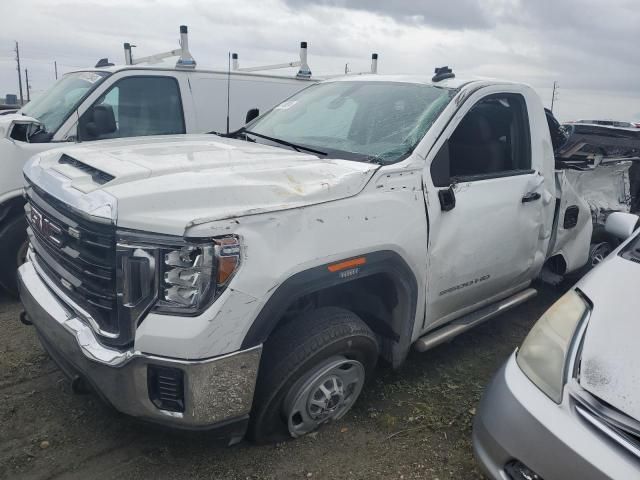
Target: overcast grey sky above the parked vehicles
591,47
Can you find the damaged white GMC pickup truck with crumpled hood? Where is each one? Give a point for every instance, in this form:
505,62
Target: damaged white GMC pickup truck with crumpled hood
253,282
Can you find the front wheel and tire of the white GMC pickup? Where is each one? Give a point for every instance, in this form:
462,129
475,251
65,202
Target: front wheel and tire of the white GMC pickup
312,371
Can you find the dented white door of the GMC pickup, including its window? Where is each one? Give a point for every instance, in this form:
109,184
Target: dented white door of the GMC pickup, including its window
490,222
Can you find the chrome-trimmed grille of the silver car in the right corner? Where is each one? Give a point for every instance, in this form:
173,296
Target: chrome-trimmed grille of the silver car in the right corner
616,425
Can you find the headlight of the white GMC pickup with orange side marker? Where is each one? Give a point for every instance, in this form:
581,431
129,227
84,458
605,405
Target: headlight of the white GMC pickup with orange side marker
174,276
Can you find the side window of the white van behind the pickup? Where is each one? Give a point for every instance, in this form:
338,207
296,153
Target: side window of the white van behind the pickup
133,107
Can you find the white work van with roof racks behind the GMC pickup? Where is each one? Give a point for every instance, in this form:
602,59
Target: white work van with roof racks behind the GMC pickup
143,97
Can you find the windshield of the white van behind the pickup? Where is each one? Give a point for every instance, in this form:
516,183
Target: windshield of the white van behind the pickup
54,106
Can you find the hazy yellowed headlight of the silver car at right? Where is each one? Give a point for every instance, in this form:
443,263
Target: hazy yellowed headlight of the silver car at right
543,354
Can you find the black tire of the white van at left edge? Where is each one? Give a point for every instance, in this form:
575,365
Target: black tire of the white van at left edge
13,250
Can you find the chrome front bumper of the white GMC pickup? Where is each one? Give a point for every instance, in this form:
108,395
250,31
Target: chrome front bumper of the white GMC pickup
217,391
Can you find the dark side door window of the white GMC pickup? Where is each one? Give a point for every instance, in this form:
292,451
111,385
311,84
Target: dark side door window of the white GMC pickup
492,140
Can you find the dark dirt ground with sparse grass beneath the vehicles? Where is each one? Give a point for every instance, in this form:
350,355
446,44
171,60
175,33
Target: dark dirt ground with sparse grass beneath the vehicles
411,423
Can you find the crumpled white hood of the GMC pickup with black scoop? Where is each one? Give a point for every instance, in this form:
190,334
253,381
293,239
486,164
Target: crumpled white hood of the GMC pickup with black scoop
171,183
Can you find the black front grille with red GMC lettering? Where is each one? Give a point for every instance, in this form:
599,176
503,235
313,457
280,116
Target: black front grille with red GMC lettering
78,256
